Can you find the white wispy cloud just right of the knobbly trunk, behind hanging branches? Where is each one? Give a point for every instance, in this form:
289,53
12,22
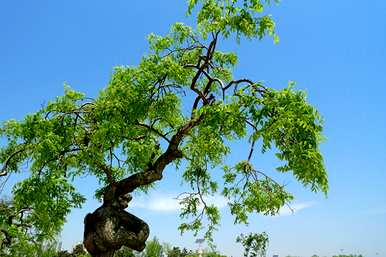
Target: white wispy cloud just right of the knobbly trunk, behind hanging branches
169,203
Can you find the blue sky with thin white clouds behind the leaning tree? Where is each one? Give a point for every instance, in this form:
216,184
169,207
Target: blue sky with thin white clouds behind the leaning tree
335,50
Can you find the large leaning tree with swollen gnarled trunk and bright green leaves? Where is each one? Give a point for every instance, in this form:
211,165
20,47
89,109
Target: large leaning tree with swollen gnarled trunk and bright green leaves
140,123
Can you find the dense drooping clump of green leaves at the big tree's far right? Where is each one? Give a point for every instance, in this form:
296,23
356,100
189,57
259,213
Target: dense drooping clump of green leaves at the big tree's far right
295,128
